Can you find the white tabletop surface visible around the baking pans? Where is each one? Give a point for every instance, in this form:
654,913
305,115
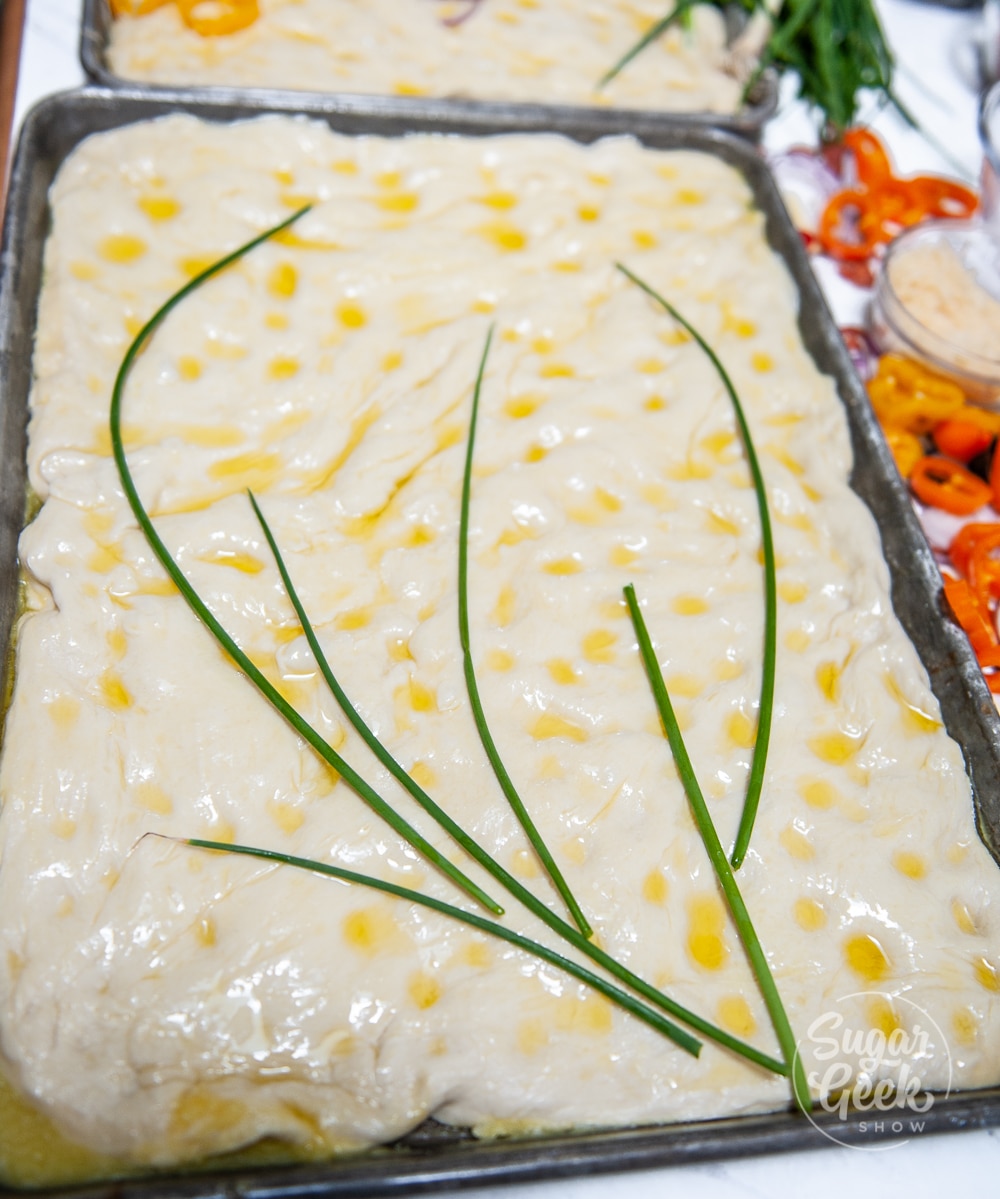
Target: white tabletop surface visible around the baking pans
938,82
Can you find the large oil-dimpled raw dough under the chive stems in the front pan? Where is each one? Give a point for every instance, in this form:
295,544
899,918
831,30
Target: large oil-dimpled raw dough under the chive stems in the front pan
160,1003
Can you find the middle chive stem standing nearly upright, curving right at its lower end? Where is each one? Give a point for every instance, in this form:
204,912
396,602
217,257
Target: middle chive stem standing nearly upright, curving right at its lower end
472,685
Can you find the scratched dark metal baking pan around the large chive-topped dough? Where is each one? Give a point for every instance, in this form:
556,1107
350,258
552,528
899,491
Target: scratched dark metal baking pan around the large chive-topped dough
437,1156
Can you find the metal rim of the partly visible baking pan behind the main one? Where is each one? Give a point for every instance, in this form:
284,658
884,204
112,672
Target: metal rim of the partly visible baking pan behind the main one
749,122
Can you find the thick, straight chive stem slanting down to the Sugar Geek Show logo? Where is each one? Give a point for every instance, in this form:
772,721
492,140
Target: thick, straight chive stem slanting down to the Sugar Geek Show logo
727,879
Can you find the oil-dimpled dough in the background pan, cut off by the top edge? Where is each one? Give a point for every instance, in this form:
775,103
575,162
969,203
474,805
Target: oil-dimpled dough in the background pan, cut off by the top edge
552,51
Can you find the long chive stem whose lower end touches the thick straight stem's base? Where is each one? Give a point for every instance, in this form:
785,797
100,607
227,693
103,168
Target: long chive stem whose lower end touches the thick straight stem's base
514,887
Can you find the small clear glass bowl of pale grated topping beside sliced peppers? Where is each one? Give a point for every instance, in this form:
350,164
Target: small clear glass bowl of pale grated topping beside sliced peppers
923,327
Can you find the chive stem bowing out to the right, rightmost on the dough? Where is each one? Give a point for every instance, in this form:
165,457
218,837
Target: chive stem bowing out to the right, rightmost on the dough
767,707
